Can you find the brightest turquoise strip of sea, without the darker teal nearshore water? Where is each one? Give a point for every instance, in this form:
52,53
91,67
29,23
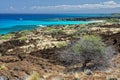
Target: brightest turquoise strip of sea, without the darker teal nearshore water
11,23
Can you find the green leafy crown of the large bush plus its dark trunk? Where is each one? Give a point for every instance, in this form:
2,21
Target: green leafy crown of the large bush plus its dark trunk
90,47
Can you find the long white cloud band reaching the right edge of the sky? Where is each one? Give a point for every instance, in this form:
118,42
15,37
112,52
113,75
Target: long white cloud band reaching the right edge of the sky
103,5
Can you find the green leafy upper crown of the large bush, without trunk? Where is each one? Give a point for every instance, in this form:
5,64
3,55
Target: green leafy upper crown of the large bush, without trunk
89,44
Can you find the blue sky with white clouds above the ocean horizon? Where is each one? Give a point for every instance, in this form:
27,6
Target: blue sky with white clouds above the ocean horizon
59,6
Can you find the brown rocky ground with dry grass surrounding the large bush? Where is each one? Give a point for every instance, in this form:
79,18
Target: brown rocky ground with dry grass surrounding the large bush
36,52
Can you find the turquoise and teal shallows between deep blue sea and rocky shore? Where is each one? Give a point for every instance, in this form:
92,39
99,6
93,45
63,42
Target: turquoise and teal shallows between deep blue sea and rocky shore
7,26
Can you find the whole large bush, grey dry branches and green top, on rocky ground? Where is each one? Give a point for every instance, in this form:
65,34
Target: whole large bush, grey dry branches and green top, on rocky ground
90,51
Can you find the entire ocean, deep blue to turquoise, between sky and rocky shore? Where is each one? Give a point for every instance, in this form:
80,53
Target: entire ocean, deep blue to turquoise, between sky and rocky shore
17,22
